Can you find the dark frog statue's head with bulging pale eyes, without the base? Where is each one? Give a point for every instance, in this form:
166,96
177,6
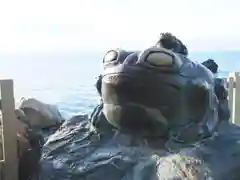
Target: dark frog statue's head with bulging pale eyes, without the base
157,92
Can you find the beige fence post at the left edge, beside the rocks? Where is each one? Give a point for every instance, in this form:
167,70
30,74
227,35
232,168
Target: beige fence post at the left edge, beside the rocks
9,131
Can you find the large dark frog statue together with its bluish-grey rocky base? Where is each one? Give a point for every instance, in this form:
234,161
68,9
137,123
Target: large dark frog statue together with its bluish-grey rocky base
157,120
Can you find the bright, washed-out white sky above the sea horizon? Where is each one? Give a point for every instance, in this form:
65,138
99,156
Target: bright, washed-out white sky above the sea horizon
28,26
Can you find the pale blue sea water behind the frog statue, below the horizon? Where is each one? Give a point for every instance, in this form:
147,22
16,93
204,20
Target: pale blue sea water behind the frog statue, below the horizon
66,80
